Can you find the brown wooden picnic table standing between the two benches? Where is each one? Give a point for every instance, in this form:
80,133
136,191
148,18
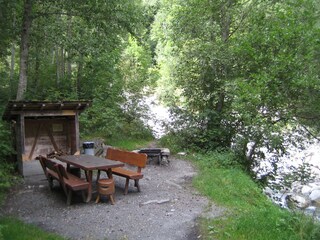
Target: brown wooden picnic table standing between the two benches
89,163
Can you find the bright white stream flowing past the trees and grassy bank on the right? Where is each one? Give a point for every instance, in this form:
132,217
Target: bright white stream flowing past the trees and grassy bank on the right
306,160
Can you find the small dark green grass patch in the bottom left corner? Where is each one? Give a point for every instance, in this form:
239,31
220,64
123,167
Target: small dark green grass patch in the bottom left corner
13,229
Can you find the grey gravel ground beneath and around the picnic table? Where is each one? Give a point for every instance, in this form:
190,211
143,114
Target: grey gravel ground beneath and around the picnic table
167,208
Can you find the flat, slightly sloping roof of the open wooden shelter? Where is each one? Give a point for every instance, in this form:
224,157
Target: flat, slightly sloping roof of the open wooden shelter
15,108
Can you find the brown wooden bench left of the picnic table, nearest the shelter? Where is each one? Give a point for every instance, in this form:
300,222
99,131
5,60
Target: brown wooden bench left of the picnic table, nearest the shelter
68,181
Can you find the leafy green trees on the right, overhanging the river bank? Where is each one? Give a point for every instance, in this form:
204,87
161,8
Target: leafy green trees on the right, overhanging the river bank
240,74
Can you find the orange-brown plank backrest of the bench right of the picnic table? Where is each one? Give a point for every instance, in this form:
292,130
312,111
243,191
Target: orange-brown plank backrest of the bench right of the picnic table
132,158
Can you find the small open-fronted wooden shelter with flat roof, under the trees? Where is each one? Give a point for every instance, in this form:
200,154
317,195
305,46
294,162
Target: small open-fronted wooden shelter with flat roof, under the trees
41,127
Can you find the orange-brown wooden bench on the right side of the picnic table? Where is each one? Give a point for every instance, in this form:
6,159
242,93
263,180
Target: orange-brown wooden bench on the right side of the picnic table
132,160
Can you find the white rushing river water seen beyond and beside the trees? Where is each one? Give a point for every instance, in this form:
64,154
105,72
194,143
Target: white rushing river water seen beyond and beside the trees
296,158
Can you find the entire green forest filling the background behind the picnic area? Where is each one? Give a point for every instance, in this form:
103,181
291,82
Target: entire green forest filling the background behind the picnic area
237,75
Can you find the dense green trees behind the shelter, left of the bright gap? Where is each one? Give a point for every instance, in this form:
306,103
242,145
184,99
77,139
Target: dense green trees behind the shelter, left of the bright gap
79,51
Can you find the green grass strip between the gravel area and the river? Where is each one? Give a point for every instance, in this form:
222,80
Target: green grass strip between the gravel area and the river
250,215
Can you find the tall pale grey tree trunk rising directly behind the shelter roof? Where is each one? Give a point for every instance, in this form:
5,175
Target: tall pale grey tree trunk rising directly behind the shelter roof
24,49
